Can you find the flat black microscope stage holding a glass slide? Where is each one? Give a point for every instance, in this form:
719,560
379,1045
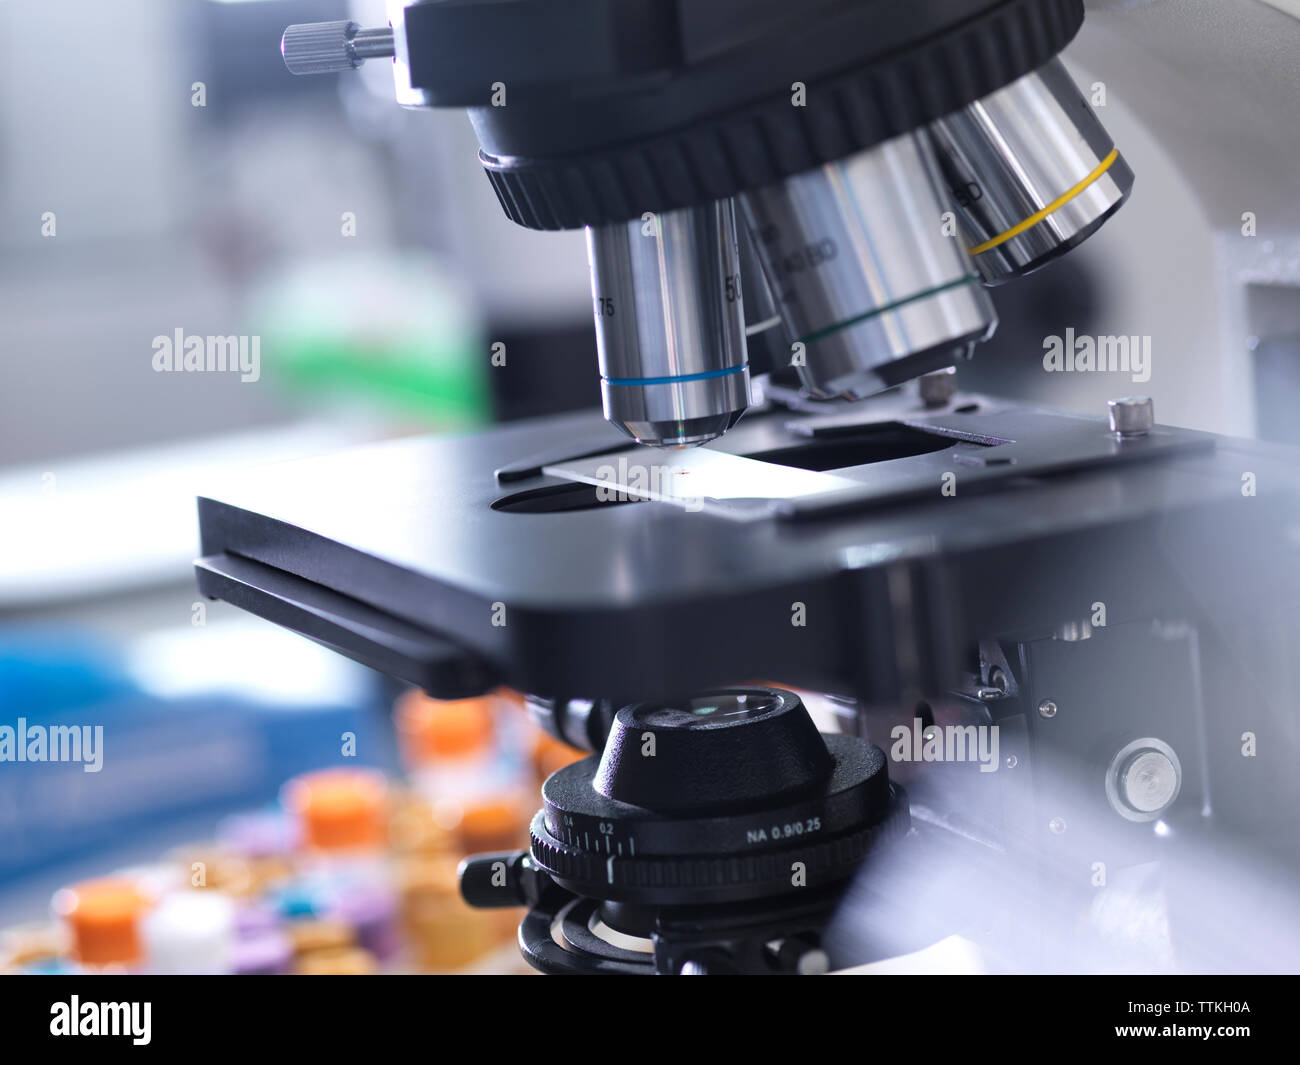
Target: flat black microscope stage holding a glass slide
458,564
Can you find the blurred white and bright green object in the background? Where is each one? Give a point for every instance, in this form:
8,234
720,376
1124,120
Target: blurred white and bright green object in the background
392,332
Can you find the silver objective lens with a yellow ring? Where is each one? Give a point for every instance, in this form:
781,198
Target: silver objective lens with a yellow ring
1032,171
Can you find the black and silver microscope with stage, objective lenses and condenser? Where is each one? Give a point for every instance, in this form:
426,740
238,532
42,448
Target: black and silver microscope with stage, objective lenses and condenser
865,668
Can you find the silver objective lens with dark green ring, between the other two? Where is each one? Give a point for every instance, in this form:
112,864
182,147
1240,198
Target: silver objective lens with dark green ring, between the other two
872,288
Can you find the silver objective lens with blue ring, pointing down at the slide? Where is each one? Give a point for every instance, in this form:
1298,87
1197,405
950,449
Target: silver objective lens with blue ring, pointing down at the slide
670,324
